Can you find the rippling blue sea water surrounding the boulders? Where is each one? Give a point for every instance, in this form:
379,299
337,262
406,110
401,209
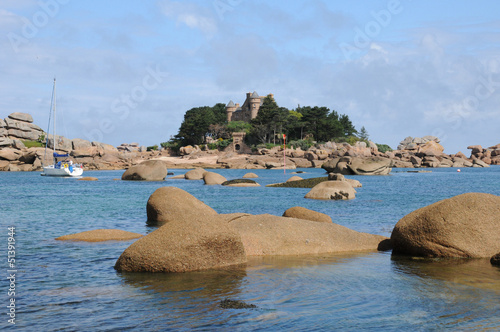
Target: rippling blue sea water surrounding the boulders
68,286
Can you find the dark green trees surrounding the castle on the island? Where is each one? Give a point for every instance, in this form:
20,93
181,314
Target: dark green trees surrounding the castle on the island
305,122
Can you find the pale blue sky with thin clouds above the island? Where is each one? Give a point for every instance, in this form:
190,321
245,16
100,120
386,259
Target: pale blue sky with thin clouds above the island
127,71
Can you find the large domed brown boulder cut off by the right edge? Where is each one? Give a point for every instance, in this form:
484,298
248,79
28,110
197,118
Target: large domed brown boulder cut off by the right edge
465,226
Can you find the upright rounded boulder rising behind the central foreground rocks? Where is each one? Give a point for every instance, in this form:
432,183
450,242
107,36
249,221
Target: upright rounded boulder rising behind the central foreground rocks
170,203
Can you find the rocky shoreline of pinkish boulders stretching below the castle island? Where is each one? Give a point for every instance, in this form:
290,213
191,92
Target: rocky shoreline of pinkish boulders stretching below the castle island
425,152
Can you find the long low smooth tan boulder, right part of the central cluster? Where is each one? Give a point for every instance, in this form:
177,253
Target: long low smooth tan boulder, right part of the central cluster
266,234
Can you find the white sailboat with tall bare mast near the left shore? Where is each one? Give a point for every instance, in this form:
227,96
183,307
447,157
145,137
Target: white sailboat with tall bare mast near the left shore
62,165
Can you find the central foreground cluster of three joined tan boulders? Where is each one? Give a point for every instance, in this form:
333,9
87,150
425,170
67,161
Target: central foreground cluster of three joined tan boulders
195,237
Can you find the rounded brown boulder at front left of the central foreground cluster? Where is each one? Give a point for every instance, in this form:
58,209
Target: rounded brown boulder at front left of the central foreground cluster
198,243
